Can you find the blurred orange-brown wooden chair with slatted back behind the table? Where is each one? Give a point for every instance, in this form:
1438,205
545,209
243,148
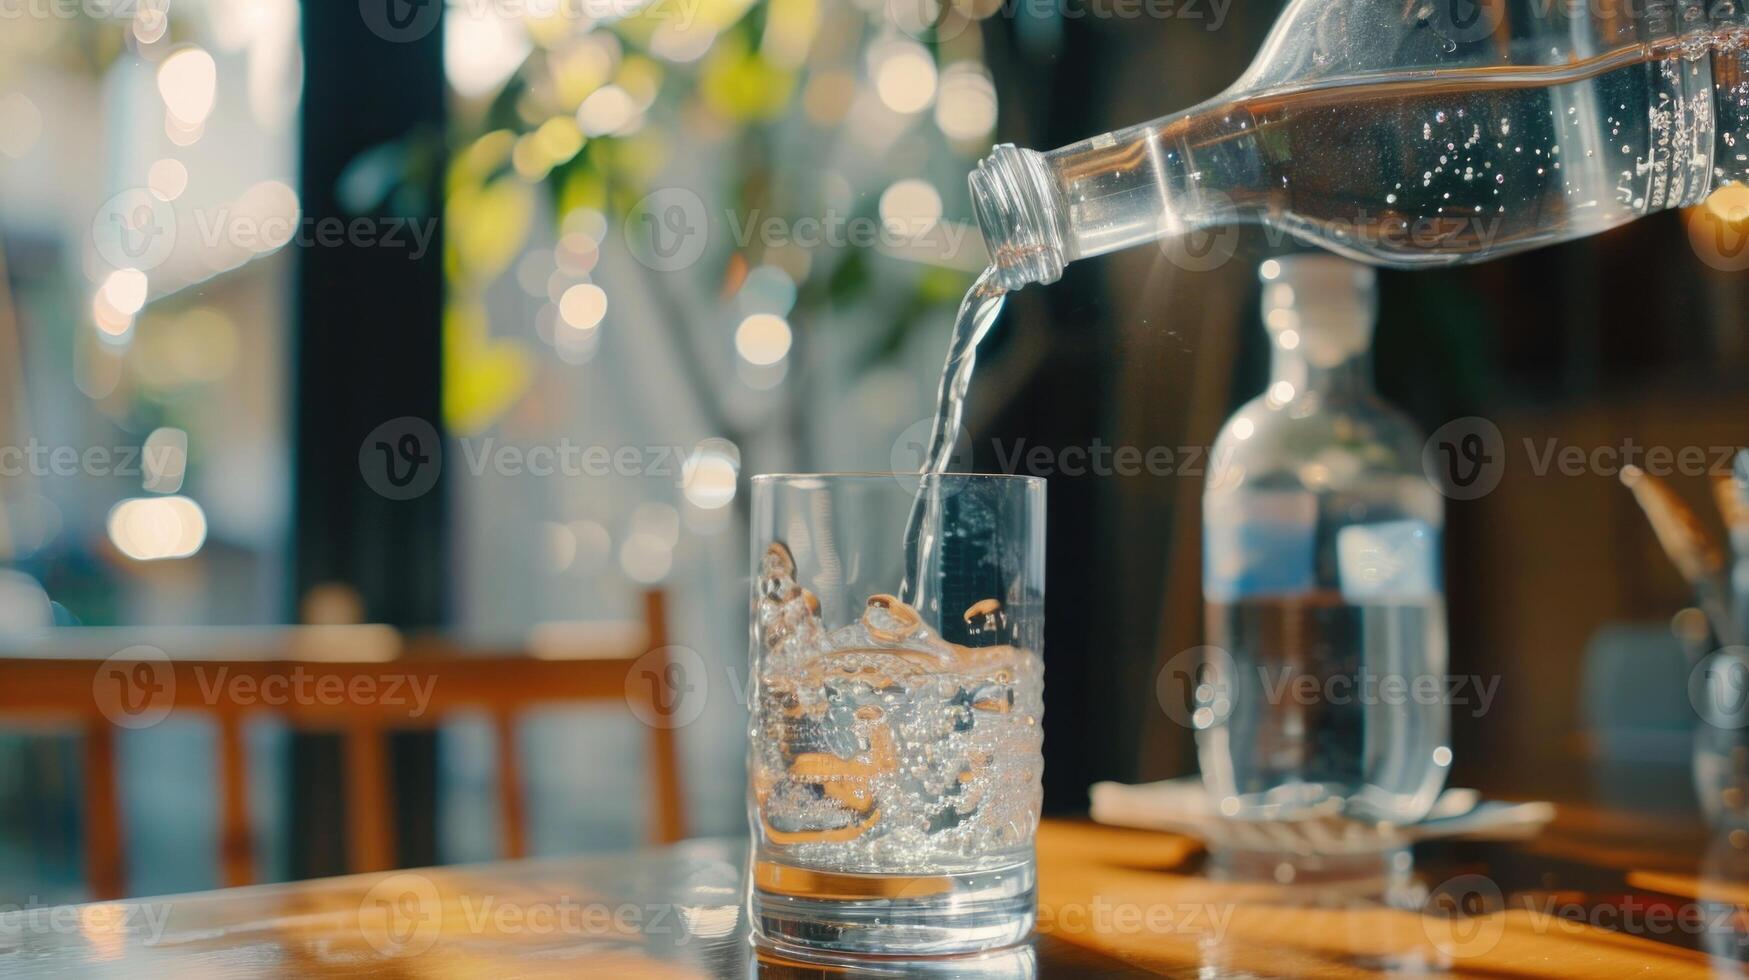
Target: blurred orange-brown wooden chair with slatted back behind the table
80,675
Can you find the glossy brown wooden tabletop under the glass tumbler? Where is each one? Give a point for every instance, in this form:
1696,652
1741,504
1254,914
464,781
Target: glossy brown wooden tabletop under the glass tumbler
1598,895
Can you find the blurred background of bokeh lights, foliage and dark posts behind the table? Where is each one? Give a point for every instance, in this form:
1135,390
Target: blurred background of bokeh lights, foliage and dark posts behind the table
477,319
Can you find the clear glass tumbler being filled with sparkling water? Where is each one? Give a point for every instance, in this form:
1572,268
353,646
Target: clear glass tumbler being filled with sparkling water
896,743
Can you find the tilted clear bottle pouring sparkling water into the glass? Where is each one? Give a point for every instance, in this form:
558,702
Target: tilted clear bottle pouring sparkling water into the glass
1407,134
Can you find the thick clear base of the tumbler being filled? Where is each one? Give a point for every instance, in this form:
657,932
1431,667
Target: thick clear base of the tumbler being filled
812,913
